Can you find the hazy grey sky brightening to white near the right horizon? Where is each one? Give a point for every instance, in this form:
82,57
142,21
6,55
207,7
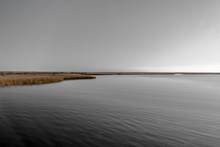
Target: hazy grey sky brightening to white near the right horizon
110,35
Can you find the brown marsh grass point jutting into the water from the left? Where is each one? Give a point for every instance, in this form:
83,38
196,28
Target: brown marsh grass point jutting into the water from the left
38,79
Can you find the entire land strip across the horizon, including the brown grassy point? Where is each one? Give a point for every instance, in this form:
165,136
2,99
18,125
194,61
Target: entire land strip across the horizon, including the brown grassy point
14,78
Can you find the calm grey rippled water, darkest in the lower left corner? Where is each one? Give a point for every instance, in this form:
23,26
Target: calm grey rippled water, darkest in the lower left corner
137,111
